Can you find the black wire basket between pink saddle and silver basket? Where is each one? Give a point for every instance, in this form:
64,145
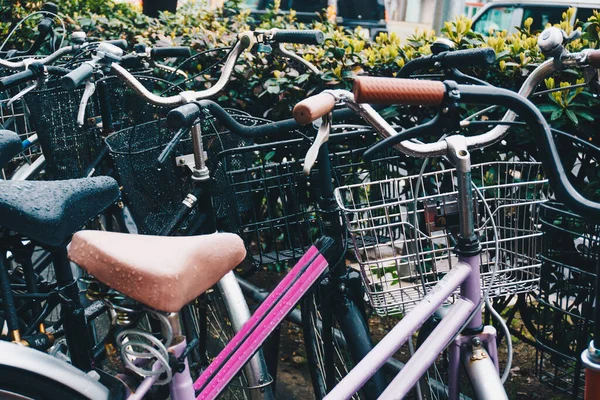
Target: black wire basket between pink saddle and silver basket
267,198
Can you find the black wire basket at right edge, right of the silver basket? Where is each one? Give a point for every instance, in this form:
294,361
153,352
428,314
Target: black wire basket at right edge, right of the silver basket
566,302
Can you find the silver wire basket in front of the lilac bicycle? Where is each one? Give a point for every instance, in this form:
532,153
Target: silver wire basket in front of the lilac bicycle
404,247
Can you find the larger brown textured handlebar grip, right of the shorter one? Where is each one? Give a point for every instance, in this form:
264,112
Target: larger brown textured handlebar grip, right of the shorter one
398,91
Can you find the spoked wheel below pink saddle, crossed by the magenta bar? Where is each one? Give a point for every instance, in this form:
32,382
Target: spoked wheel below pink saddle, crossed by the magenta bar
208,319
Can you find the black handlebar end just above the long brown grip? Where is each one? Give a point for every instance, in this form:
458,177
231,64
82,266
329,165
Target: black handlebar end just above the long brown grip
481,57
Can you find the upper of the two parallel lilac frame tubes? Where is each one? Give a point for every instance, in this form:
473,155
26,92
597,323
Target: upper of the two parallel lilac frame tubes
403,330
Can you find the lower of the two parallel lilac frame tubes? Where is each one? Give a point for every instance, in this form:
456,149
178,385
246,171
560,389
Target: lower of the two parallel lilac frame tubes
425,356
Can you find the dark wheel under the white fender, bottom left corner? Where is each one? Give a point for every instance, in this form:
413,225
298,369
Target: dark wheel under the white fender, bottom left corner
19,384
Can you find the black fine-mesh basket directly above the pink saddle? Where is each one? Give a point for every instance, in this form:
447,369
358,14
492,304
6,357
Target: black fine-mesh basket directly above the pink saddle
154,194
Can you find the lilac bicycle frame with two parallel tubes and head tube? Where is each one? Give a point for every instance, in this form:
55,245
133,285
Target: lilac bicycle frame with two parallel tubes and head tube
464,275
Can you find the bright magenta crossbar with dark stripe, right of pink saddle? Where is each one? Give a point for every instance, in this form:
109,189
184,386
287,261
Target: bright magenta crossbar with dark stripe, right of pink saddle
256,330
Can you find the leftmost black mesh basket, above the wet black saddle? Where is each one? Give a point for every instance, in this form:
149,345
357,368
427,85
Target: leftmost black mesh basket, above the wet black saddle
68,148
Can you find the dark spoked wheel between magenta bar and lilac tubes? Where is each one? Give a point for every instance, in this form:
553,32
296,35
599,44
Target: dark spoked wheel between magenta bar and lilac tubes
328,349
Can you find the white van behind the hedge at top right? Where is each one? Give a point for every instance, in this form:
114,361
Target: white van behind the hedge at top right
508,15
